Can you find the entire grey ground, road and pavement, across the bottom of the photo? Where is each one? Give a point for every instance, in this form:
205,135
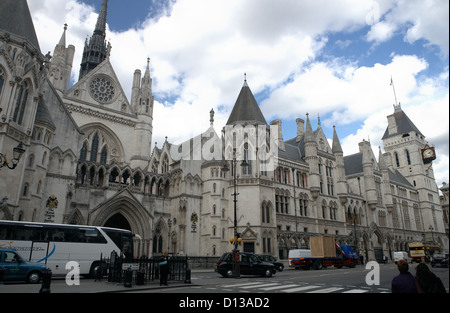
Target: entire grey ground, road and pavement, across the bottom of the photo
289,281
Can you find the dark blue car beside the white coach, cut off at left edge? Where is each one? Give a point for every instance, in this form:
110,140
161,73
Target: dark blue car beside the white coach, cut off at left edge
14,268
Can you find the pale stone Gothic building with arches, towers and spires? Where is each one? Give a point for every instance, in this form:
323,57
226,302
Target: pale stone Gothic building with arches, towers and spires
89,147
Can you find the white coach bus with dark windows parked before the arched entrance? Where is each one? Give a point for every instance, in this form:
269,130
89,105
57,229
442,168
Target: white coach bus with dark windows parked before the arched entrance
57,244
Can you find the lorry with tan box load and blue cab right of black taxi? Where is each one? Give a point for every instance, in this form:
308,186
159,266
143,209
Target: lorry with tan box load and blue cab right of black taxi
324,252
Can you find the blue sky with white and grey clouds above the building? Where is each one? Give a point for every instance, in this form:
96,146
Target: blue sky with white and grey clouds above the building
331,59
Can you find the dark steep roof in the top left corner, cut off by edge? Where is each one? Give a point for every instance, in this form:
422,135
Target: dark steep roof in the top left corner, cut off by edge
15,18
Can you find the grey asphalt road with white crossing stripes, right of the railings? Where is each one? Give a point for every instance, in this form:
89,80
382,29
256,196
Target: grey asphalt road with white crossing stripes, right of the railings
329,280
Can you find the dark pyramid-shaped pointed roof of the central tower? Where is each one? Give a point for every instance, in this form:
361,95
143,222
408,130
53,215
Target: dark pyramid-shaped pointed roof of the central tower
246,109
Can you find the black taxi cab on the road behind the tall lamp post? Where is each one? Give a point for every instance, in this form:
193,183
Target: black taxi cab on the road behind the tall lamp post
249,263
